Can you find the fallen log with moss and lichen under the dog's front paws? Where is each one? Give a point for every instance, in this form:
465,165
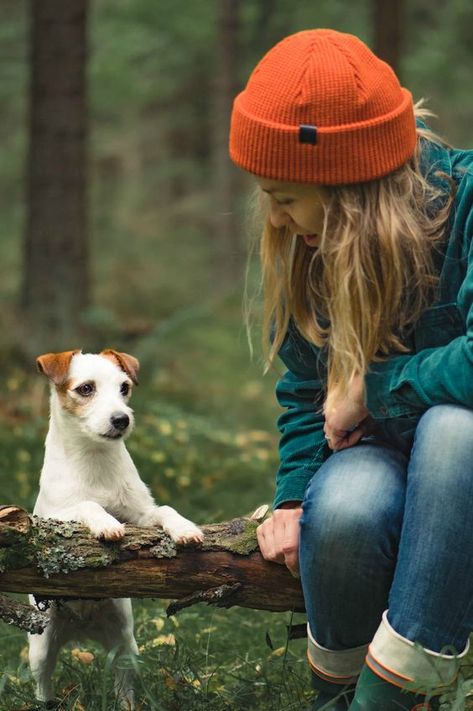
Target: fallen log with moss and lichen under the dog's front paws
52,559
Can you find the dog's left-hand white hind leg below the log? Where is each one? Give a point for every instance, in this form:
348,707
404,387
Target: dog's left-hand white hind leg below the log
43,651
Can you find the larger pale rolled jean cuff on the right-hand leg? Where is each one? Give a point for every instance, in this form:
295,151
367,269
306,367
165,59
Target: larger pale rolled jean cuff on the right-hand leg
398,660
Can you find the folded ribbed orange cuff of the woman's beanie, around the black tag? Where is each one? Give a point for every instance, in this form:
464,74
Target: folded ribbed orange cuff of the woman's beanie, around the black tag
350,153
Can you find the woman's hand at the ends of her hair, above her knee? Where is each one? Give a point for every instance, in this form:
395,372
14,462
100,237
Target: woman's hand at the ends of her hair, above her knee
346,417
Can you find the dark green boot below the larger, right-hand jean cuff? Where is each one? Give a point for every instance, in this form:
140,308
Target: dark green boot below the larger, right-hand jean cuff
374,694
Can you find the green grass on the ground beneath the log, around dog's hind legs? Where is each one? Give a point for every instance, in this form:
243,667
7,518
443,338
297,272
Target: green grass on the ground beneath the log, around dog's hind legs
203,659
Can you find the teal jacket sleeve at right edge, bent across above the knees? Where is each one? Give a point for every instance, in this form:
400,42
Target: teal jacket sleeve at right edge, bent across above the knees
410,384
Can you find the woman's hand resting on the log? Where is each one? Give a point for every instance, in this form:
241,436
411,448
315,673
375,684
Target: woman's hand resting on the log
278,536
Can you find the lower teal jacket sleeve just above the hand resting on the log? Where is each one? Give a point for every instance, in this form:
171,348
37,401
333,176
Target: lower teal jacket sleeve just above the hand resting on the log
302,445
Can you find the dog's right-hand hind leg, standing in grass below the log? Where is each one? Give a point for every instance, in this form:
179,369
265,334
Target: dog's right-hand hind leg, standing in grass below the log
115,632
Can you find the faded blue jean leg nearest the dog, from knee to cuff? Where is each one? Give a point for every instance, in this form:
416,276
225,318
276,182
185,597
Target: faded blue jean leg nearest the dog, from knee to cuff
350,529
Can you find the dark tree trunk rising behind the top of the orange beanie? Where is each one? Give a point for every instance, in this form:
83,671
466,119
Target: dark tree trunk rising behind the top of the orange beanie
388,21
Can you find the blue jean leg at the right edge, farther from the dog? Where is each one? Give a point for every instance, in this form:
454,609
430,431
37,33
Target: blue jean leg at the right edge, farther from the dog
431,599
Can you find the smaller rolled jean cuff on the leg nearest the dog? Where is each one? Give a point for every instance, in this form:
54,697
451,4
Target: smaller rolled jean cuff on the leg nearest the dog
340,666
